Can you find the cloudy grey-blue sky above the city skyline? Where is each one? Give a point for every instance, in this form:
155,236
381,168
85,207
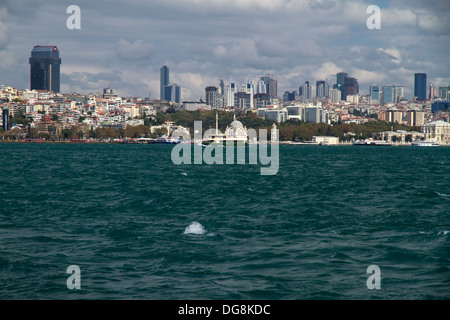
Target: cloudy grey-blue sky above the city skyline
125,42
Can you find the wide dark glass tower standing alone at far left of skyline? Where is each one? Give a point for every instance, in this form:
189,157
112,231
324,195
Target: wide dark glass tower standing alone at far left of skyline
45,68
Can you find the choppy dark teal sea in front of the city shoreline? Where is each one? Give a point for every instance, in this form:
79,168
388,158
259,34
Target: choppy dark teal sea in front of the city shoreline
123,222
